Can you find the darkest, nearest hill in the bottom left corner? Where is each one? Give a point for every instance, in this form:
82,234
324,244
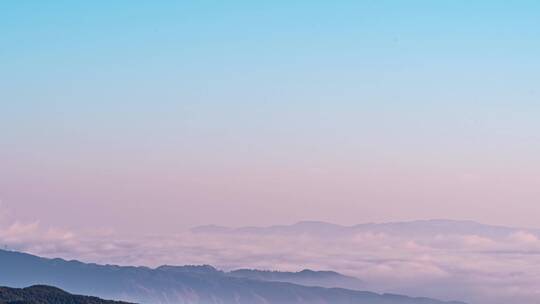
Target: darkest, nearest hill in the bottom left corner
42,294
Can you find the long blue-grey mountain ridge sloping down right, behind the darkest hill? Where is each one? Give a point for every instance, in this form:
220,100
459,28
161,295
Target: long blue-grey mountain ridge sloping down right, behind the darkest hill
172,284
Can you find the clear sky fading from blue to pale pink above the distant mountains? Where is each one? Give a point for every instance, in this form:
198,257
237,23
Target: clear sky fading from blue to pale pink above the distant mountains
160,115
